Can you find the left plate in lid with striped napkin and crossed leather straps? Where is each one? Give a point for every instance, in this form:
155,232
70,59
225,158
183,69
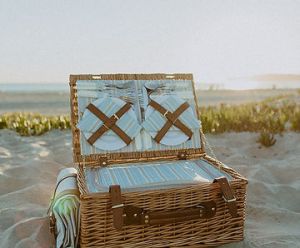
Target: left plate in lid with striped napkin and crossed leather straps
109,124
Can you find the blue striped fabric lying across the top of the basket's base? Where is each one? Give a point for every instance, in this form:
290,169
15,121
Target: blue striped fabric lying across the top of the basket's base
152,175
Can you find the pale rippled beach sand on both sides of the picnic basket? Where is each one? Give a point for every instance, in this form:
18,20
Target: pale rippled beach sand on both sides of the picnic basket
29,166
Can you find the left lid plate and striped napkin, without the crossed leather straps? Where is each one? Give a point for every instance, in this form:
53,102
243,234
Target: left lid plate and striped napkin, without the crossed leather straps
89,123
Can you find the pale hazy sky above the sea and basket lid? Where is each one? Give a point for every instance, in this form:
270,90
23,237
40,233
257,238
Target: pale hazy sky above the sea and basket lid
216,40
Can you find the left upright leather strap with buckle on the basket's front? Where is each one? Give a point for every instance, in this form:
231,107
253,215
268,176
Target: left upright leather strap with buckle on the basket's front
117,206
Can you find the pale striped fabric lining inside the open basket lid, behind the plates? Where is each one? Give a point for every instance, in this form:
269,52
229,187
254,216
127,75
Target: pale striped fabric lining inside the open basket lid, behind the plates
135,93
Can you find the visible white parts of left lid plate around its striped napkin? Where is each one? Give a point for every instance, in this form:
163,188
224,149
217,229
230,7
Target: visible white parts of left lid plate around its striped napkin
108,142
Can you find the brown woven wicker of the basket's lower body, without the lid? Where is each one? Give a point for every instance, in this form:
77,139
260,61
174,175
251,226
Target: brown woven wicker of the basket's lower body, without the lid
97,227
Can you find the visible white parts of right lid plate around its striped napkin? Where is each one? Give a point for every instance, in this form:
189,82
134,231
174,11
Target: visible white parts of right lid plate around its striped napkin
172,137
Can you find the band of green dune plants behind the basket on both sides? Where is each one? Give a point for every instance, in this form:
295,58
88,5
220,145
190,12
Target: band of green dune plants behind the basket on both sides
273,115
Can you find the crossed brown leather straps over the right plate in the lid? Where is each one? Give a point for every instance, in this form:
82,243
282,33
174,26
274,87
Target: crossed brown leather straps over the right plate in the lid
172,119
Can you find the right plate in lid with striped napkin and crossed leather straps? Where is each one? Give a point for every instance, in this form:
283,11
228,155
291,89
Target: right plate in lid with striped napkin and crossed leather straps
171,121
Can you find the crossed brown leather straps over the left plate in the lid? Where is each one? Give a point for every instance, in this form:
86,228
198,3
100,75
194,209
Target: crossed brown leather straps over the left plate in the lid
109,123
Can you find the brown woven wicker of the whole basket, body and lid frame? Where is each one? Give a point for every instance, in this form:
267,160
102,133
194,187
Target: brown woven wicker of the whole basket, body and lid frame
97,228
